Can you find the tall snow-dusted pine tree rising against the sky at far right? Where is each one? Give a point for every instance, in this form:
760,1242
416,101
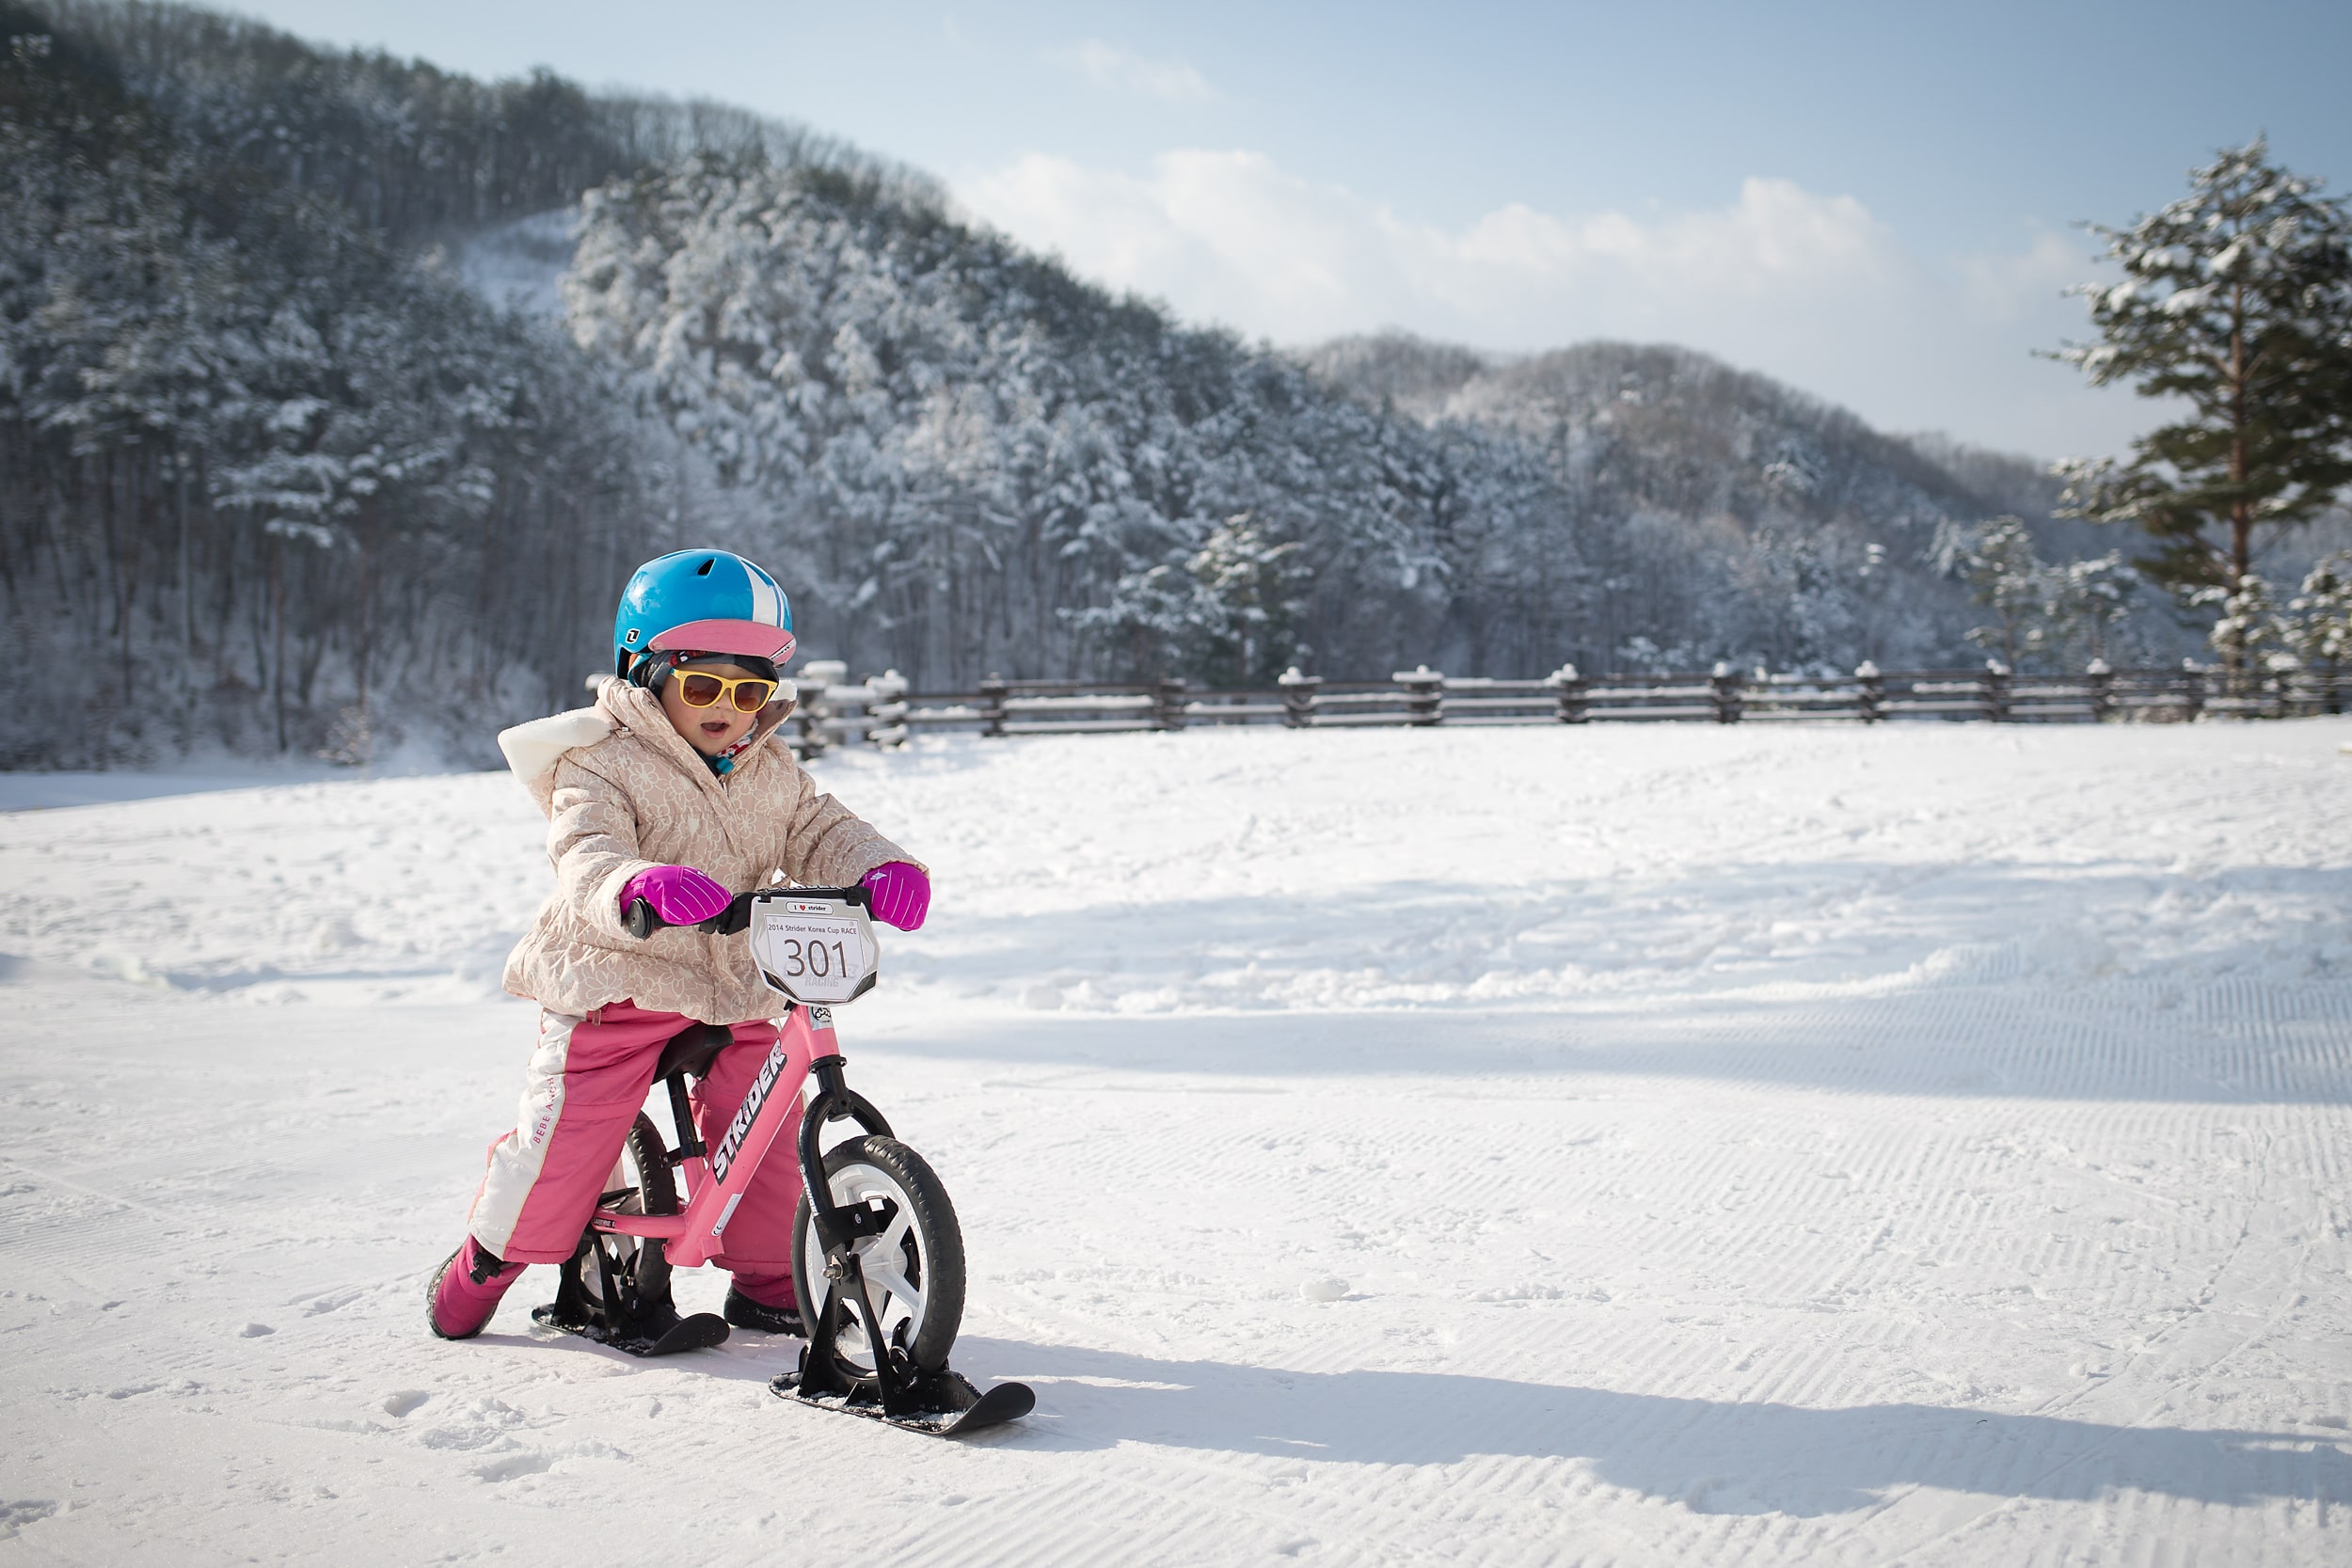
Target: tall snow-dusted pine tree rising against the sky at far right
2236,300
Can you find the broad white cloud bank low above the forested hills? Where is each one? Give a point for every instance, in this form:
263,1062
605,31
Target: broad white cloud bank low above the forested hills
1800,286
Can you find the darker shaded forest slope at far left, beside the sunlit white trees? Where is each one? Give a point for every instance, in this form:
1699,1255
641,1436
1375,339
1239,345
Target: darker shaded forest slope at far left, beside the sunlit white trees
255,438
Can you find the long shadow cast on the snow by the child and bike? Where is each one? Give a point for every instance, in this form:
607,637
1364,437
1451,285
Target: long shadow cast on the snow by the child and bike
1713,1456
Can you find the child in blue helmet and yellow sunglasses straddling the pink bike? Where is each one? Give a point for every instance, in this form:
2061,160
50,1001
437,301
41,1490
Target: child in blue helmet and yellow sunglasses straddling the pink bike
667,791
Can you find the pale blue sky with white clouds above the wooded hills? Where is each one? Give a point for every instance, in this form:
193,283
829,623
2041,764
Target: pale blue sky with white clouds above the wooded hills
1876,203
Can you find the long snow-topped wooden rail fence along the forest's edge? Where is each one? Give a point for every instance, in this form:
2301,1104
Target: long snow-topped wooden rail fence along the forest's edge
881,711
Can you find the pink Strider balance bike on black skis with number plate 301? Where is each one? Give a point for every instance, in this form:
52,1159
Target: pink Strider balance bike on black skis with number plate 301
878,1259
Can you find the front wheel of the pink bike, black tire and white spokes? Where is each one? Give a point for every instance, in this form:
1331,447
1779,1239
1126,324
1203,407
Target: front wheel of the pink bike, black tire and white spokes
916,1266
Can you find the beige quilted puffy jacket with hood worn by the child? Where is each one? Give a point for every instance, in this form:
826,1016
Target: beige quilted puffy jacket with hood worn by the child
624,791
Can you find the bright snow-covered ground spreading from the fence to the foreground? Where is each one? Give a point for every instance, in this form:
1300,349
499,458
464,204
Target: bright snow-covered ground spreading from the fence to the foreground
1617,1146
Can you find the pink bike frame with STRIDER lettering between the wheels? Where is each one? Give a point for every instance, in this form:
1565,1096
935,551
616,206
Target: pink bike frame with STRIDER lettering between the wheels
719,1179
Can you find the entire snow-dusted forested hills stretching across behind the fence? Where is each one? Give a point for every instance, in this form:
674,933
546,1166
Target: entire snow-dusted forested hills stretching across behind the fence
267,438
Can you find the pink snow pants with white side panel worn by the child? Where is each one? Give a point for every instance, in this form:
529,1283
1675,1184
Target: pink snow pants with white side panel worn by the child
580,1099
